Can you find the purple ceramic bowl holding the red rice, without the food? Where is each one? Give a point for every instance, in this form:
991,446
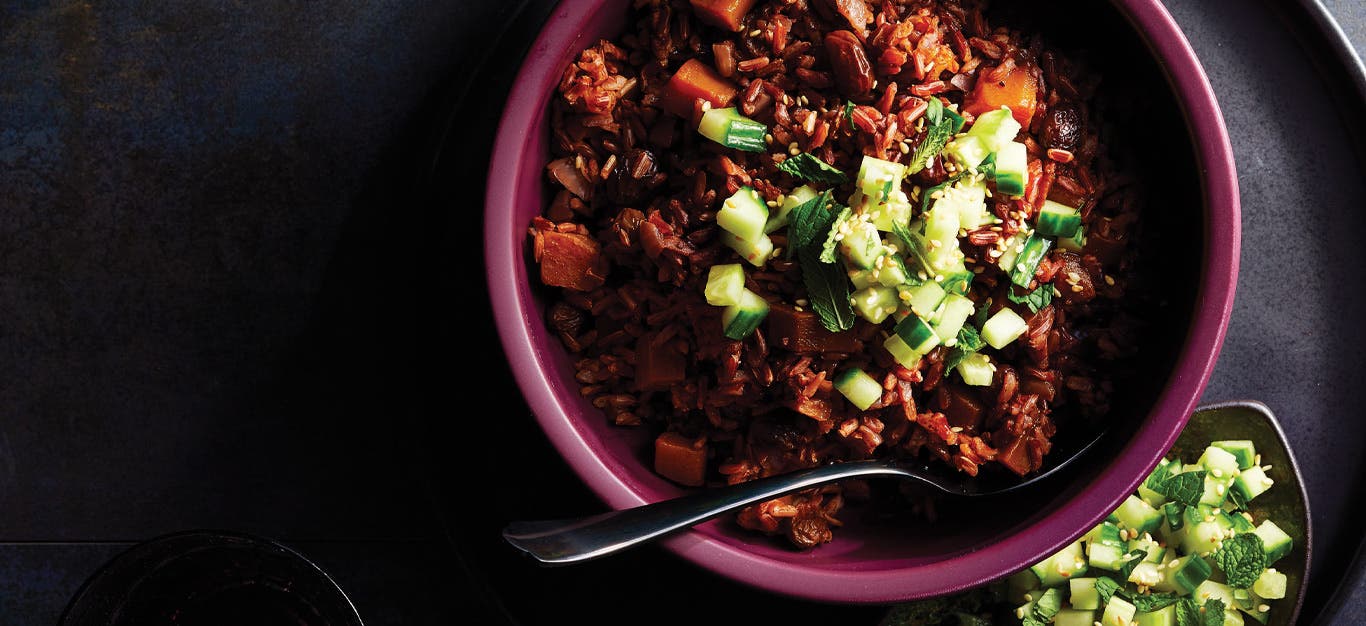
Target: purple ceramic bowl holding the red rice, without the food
867,562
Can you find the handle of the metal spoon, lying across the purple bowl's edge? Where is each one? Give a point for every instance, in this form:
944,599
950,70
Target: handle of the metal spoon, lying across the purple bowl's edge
584,539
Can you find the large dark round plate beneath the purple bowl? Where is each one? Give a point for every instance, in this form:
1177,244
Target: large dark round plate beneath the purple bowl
1292,103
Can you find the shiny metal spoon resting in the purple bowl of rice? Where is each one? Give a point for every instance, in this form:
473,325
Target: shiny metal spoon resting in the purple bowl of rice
559,542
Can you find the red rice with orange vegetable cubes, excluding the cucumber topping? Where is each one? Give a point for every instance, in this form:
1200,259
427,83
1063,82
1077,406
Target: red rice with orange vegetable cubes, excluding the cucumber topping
630,234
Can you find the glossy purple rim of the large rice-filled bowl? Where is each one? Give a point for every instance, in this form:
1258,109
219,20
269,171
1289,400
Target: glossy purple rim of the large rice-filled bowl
1214,307
